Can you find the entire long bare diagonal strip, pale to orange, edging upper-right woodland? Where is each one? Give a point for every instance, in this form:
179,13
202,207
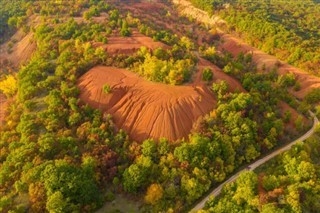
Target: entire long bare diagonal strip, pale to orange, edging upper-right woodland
236,45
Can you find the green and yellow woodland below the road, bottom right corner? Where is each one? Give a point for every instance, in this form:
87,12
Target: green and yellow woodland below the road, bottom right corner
288,183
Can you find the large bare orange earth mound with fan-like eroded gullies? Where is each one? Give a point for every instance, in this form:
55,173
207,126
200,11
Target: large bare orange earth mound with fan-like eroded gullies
145,109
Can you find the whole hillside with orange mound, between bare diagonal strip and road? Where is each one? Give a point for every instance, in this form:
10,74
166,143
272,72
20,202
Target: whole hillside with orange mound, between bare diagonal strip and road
133,106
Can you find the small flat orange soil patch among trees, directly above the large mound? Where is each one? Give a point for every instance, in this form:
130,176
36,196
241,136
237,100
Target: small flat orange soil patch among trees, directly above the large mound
129,45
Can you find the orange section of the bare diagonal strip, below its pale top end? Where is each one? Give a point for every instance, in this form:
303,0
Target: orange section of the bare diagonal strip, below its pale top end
235,46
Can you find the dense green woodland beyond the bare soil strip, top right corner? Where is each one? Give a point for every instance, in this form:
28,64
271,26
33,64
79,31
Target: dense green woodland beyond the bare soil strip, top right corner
287,29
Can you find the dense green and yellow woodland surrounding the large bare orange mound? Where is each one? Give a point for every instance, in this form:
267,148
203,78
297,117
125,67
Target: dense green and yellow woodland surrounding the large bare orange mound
57,154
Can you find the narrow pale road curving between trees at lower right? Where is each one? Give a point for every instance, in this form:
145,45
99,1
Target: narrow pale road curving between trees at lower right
254,165
